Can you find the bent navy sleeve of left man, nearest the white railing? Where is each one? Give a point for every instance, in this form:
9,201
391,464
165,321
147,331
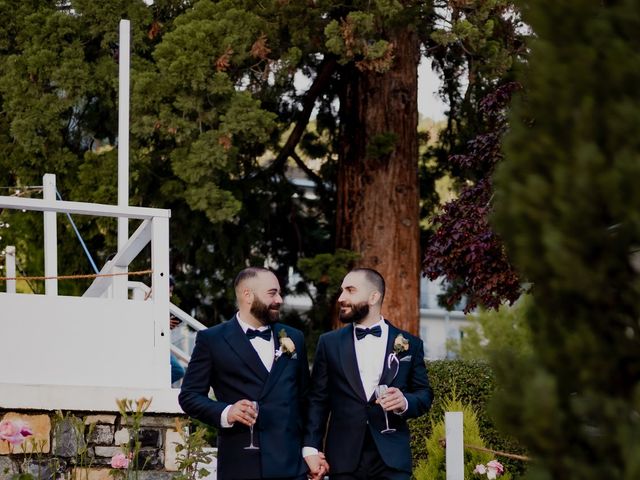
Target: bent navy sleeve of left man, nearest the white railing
194,394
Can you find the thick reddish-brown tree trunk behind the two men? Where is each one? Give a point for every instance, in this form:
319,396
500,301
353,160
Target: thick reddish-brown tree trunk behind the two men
378,190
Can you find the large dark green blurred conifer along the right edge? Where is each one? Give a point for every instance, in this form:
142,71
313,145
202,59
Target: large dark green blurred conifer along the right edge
569,212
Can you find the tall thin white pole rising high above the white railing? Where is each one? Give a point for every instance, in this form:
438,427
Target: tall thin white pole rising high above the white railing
120,283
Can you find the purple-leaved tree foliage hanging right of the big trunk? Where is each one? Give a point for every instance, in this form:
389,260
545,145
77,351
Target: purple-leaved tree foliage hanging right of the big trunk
464,248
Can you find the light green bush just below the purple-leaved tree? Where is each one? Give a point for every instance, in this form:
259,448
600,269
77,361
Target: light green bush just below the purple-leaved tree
495,331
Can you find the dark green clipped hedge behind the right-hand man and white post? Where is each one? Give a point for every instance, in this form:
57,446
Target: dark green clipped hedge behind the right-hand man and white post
472,383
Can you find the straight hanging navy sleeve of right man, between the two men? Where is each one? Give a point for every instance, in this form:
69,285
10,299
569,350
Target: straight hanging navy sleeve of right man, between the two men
318,410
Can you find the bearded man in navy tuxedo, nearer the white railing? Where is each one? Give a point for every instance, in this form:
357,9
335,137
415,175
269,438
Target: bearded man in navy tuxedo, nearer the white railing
252,358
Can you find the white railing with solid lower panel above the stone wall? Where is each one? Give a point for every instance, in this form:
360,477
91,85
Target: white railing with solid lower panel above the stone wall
127,342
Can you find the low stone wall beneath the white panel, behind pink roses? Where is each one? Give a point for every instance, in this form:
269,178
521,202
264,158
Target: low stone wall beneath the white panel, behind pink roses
80,445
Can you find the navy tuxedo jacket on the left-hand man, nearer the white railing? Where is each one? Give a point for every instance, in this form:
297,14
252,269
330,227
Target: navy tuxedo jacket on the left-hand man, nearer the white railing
224,359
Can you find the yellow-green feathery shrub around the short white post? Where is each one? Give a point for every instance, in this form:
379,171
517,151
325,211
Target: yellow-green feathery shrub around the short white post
434,467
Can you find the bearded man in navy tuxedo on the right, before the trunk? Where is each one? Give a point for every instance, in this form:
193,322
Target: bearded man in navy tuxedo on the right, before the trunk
365,437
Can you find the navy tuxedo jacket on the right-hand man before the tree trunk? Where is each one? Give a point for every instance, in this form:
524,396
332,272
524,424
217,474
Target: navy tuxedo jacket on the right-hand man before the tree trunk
337,395
